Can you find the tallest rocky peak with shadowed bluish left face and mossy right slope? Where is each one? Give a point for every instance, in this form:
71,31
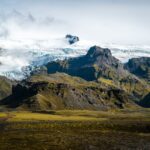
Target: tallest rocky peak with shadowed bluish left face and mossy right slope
99,65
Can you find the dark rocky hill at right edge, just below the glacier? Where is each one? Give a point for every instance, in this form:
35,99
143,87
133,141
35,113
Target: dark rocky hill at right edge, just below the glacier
140,67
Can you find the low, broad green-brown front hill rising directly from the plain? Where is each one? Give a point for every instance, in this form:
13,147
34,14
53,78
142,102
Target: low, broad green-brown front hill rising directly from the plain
61,91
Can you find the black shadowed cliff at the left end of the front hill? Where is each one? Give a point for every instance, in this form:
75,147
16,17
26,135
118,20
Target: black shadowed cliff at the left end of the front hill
21,92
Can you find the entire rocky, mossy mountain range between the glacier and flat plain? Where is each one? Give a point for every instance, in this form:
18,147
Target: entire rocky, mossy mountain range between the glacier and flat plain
96,80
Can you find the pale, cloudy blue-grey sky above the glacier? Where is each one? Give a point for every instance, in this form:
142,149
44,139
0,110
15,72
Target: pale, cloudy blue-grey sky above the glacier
108,21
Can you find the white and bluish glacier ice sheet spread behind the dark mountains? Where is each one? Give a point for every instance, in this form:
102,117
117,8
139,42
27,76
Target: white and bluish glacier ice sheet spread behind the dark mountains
19,57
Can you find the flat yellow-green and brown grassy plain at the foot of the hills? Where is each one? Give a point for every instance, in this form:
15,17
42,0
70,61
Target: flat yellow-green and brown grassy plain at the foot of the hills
75,130
